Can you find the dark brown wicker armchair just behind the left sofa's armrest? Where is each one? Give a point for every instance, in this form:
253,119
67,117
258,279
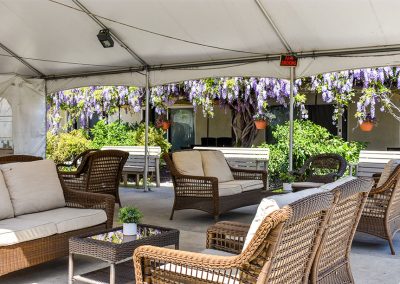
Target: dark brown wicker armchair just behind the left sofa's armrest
99,172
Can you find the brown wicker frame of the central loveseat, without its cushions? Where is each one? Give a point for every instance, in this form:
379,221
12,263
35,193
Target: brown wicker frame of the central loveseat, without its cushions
201,193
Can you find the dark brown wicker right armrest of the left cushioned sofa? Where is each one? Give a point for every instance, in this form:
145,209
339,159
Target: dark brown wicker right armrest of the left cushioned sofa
81,199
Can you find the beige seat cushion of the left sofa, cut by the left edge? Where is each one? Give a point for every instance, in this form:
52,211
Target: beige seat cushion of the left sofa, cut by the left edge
16,230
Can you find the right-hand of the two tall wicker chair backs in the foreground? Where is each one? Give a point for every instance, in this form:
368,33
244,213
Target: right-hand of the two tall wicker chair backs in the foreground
332,263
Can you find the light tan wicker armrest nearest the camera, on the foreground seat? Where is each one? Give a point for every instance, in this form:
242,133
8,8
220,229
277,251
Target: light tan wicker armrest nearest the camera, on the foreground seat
148,258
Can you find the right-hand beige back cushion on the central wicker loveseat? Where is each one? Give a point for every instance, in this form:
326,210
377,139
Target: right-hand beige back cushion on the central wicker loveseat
215,165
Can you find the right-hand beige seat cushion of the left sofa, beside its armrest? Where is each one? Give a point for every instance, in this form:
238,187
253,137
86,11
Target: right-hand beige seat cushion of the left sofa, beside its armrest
69,219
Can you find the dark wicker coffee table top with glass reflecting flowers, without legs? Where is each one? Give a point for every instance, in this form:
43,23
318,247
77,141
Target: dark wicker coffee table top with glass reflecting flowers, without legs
111,245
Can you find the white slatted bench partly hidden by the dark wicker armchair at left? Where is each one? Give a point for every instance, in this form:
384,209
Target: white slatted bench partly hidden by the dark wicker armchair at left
135,163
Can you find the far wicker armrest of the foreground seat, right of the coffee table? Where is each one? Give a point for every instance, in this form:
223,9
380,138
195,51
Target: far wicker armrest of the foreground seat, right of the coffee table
227,236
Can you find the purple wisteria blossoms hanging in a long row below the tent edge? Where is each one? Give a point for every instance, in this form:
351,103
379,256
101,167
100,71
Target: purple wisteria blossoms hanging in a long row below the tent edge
375,86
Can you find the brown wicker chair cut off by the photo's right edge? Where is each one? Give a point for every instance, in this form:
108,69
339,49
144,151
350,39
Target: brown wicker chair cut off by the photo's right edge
381,214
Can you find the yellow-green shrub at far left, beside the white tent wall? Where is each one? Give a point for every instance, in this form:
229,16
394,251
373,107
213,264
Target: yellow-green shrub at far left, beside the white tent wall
65,146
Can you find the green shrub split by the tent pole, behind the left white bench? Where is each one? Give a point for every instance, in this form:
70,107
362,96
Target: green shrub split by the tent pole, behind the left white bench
156,137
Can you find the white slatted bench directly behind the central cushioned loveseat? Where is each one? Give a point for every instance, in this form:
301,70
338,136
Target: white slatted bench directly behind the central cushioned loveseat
244,158
